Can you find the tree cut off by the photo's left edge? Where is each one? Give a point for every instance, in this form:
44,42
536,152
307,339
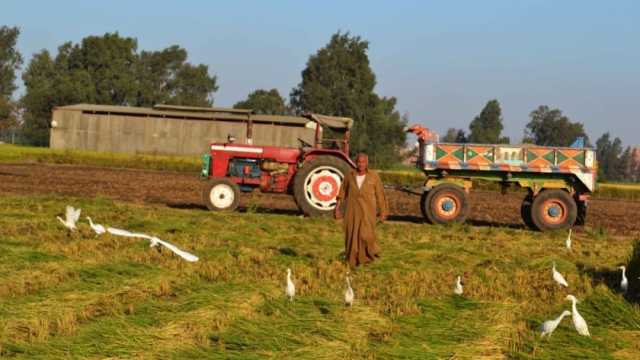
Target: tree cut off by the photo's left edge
10,61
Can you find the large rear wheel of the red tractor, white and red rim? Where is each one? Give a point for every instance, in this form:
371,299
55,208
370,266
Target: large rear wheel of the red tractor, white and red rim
317,183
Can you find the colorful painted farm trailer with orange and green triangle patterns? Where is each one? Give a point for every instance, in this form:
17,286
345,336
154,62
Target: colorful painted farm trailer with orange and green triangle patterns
559,180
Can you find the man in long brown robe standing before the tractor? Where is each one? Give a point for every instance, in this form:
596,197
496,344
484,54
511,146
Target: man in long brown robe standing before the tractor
363,193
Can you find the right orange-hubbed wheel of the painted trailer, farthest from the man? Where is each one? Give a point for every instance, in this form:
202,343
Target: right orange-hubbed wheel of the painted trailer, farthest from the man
553,210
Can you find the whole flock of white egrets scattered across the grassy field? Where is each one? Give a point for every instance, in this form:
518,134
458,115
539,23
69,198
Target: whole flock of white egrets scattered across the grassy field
546,329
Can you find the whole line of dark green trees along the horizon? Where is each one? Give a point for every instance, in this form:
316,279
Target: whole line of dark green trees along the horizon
337,80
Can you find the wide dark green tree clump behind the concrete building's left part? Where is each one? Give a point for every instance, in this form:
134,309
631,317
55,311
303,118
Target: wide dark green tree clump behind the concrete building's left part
108,70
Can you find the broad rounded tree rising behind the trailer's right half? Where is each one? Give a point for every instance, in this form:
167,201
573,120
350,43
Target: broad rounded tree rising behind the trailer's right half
549,127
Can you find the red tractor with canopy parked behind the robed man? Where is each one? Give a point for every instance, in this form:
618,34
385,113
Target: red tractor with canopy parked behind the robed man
313,173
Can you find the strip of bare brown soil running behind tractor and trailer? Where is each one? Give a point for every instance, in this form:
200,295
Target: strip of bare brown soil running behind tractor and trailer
183,190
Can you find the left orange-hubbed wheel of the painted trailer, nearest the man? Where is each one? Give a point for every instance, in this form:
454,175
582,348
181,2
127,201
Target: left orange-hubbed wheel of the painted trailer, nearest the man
445,203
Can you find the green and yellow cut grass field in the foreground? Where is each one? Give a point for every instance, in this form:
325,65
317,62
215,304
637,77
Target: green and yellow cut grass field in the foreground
75,295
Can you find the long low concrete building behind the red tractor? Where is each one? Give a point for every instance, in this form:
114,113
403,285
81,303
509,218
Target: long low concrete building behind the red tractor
170,130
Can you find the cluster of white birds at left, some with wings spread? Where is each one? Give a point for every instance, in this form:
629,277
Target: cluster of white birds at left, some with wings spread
72,217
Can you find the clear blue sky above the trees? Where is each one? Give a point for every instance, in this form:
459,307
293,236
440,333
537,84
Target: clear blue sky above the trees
442,60
